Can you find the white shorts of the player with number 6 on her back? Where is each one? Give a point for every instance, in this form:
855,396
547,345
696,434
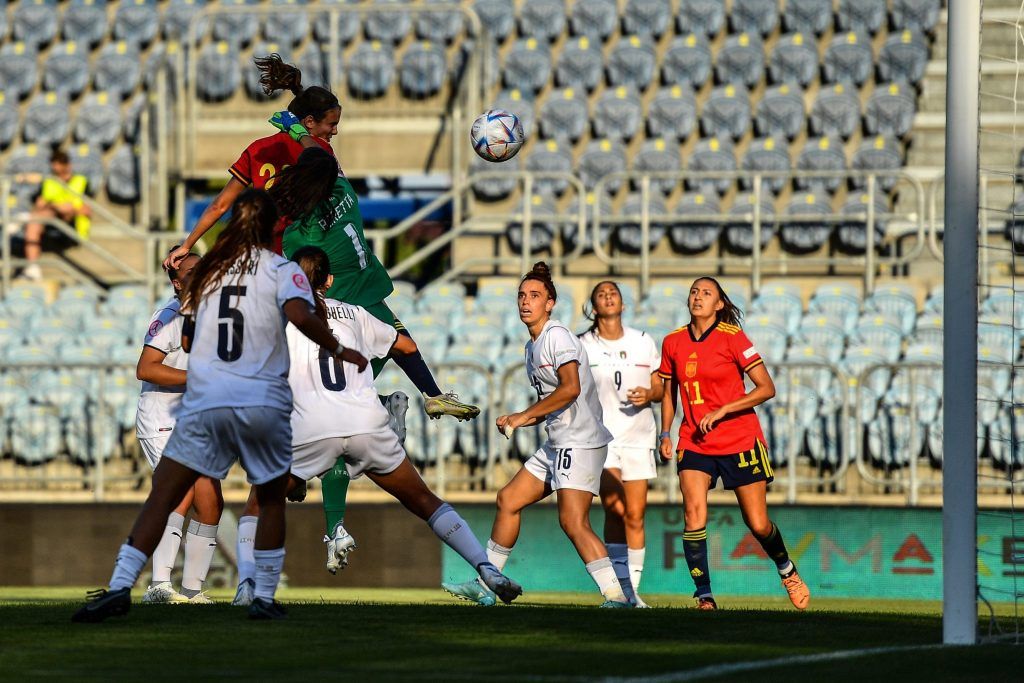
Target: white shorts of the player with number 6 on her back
379,453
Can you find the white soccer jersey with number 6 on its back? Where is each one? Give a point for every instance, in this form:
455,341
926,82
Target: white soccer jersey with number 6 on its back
334,399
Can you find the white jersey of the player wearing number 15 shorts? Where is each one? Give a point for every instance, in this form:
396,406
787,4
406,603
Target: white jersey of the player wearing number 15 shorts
578,425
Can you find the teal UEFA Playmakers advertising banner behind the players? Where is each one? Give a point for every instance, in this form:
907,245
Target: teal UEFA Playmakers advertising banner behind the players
841,552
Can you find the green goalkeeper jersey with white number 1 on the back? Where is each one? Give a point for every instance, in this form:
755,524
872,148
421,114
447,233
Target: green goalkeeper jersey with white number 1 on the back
336,227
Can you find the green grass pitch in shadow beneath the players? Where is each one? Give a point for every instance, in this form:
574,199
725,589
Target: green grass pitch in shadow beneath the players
419,635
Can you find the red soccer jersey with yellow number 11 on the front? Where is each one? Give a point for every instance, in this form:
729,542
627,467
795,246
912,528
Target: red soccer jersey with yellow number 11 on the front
710,372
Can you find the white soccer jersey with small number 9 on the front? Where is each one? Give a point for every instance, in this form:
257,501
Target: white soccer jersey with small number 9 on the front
619,366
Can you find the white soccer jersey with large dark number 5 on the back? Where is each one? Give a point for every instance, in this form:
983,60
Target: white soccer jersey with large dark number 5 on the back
239,351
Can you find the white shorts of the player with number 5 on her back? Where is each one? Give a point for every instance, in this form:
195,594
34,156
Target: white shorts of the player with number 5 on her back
210,443
